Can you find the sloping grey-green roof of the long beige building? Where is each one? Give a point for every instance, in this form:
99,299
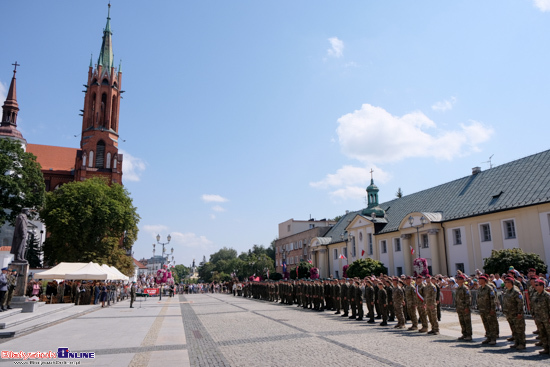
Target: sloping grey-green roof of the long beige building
516,184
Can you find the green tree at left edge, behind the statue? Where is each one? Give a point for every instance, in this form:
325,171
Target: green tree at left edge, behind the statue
21,181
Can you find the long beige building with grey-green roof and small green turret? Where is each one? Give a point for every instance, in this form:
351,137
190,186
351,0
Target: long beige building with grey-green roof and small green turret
454,226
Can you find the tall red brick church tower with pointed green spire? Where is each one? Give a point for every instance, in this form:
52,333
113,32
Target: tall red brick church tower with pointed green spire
98,154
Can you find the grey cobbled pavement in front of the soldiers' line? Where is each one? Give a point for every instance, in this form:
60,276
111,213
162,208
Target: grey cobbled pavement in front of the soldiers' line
225,330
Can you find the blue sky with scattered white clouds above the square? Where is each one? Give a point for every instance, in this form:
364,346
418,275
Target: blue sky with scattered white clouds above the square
239,115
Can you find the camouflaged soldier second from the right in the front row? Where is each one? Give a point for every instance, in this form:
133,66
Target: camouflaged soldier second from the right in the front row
513,305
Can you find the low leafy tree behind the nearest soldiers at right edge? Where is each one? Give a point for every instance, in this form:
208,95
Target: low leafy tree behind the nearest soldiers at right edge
501,260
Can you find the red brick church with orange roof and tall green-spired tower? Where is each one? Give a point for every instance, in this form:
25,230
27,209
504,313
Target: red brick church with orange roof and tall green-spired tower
98,154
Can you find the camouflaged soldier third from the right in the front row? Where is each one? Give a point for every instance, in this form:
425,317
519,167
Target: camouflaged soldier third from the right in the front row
486,304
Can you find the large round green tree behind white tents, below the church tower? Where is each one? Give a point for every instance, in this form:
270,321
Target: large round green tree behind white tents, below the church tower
90,221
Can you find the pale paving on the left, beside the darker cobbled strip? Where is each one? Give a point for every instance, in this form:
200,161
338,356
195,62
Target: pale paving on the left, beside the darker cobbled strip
150,334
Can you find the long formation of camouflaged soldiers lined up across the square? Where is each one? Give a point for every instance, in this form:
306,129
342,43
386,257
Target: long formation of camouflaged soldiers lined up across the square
418,299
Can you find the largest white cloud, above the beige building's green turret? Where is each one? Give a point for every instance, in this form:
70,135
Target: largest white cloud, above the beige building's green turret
372,134
